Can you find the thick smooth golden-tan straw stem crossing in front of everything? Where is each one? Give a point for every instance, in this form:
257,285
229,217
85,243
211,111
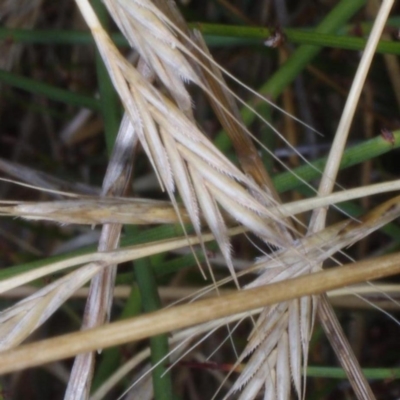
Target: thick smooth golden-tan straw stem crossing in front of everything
187,315
